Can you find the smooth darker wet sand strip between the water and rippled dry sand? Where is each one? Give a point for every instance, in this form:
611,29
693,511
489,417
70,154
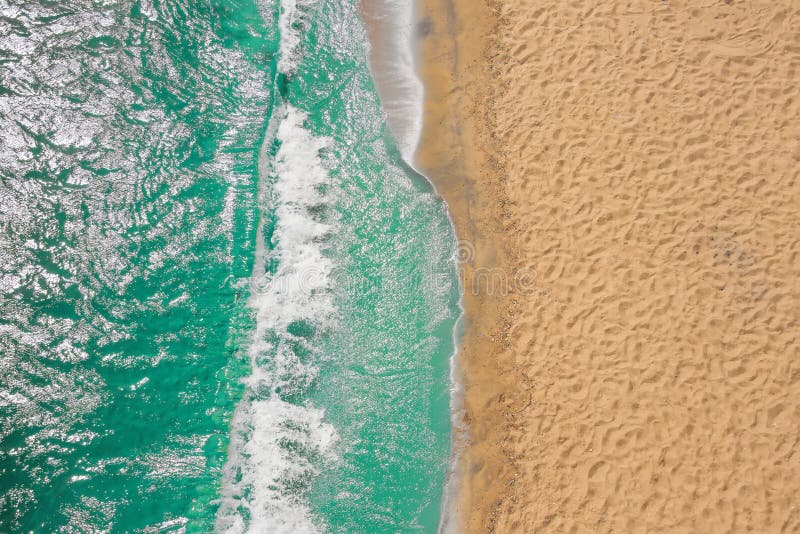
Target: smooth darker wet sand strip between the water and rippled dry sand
457,151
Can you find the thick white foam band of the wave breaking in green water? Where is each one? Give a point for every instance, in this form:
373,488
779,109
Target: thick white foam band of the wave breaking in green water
262,475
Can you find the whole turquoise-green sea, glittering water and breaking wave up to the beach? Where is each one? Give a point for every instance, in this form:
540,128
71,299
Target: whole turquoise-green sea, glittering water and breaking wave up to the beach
226,303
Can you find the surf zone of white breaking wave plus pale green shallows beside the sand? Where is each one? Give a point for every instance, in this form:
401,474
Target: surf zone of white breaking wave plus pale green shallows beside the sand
355,297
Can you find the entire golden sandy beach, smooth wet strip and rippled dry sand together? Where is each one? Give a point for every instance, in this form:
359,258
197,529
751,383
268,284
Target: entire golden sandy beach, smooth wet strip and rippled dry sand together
642,158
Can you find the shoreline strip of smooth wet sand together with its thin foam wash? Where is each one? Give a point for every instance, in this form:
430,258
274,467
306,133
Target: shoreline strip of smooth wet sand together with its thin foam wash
455,154
